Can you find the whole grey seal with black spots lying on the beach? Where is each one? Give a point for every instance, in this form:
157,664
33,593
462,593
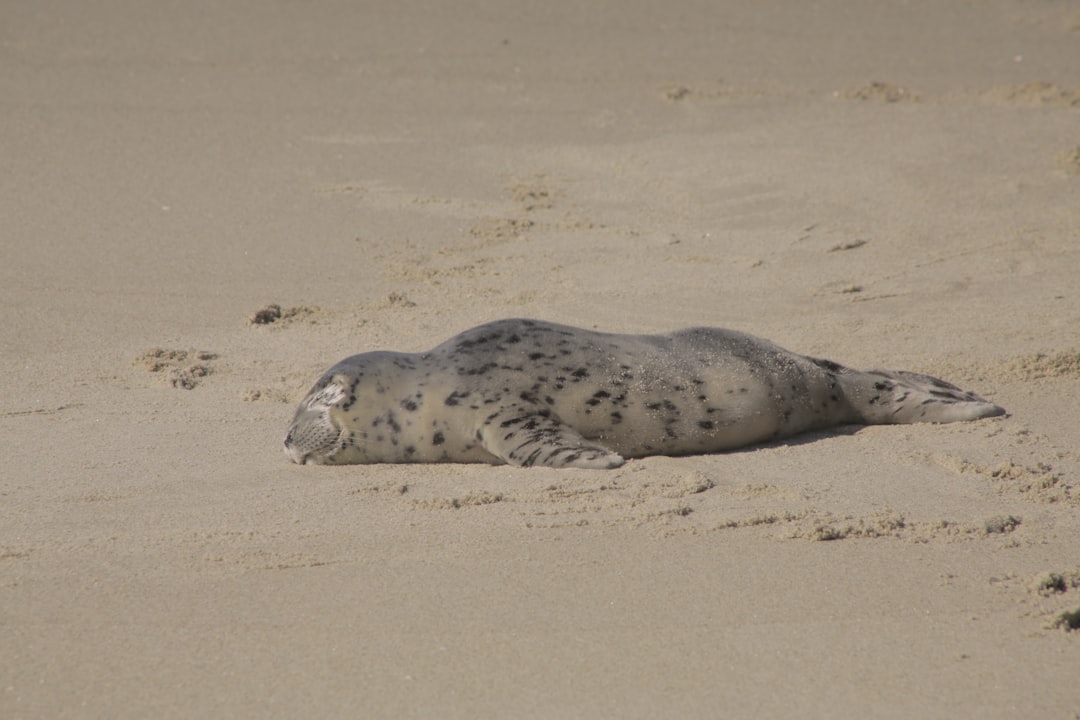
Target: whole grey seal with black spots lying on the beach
526,392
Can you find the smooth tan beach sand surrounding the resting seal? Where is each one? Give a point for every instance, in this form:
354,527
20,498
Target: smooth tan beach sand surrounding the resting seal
890,185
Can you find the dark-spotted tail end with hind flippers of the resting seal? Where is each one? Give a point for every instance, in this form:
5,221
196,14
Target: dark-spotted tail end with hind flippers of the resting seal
899,397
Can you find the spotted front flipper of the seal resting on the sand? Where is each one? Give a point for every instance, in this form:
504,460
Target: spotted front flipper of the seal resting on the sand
525,437
